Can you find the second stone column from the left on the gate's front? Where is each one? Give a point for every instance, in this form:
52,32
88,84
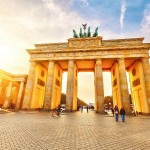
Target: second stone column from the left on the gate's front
49,86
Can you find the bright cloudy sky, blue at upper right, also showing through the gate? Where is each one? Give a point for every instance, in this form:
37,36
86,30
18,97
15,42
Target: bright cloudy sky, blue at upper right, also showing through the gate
24,23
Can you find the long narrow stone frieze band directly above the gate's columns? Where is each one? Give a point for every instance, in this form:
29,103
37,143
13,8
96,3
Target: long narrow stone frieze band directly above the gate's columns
88,54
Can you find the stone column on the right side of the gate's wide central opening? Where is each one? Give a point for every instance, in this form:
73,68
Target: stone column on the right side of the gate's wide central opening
99,91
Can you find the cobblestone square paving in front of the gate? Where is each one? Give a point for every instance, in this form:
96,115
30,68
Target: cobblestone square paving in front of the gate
32,130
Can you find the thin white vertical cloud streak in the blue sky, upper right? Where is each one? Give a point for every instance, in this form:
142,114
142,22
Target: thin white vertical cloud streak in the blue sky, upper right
122,15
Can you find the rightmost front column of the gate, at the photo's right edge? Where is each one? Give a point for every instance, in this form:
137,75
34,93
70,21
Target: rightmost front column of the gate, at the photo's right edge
146,73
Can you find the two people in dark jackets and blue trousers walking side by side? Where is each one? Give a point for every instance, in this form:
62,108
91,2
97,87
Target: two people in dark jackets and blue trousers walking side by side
122,113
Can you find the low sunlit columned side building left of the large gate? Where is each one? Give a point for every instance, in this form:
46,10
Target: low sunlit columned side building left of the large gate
12,88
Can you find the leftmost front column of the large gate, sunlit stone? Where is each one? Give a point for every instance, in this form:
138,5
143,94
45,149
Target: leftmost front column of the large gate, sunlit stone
29,86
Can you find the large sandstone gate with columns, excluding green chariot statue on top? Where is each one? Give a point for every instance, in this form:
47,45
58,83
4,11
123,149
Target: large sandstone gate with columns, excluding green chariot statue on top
89,54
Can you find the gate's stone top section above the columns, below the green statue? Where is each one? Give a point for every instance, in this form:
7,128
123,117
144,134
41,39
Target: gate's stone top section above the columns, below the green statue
91,48
